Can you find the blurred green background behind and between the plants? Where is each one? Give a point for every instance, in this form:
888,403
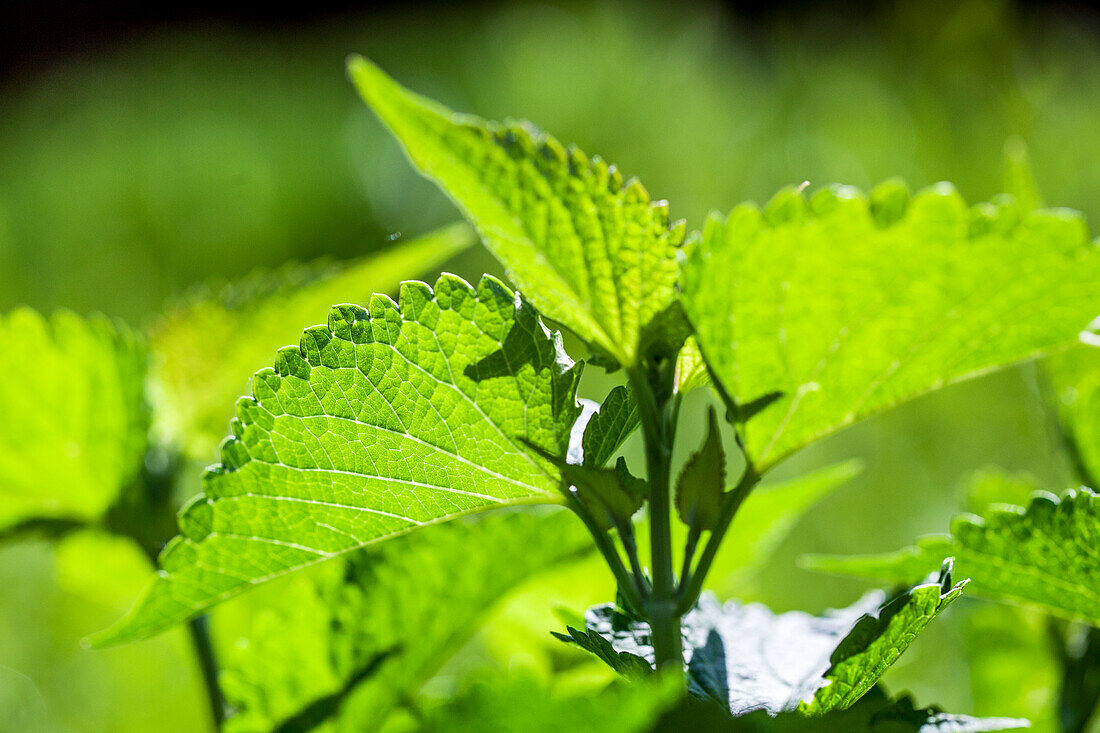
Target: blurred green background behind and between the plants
185,154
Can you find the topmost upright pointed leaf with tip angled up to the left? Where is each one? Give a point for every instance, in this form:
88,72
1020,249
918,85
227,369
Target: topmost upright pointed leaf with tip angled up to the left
592,253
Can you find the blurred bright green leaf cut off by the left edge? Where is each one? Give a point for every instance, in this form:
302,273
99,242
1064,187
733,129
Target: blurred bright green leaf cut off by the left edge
75,421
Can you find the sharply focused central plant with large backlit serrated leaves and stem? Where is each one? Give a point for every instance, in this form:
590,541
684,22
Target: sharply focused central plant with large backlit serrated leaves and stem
805,318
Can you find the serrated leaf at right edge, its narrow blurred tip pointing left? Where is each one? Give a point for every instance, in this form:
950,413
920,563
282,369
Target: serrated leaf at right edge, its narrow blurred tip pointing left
1043,555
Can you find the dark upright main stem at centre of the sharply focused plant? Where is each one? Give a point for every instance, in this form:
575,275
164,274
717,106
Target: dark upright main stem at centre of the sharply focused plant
664,618
